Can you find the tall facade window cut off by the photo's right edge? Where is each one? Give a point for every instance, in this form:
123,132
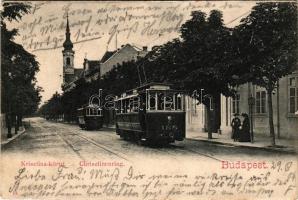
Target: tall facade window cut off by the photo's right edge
293,95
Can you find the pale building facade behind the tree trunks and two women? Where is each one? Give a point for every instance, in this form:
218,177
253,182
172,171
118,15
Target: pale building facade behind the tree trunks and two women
285,109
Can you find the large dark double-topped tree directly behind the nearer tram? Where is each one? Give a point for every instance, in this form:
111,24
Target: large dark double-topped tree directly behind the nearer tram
203,58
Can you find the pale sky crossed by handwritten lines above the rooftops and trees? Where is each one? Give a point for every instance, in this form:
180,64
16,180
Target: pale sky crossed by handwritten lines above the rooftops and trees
100,26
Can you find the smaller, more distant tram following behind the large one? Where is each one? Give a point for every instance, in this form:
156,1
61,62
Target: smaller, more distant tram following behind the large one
90,117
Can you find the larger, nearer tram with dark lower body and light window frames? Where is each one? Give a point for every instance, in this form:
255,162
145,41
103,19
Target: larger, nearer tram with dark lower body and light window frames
152,114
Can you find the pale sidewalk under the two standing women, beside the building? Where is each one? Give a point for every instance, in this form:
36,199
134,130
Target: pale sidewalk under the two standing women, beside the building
261,142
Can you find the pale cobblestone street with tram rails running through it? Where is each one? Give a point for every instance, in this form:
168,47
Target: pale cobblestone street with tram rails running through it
47,138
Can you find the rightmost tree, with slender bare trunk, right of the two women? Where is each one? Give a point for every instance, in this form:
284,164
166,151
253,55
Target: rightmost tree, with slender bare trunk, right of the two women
267,44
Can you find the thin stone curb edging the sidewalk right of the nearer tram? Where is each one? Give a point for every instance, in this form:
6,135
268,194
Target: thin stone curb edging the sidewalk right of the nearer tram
290,151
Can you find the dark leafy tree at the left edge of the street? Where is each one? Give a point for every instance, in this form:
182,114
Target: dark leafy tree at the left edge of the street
18,70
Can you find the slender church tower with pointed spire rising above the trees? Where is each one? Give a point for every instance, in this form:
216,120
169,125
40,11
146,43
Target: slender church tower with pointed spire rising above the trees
68,57
